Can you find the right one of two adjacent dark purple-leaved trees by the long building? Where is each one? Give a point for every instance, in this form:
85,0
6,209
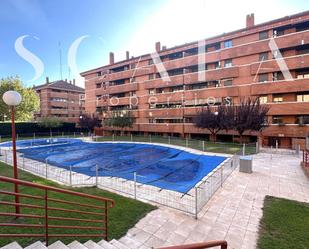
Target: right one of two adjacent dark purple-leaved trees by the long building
249,115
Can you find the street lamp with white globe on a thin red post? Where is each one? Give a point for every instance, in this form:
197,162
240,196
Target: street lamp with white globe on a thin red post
13,99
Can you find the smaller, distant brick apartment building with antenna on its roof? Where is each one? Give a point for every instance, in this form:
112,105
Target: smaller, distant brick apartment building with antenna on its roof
61,99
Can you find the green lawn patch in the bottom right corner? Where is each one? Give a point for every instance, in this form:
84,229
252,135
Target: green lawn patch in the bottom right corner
285,224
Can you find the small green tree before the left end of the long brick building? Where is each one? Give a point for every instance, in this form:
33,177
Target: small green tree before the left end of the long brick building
120,119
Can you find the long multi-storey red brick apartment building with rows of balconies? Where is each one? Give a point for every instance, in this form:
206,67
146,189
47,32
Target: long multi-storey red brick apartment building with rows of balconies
238,64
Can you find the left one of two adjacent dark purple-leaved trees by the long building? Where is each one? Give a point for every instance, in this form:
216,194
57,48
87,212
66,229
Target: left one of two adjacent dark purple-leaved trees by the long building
213,121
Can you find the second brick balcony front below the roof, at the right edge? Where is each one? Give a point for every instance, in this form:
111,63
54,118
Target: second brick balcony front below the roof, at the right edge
293,62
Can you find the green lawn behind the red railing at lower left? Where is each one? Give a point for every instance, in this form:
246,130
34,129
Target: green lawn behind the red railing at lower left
122,217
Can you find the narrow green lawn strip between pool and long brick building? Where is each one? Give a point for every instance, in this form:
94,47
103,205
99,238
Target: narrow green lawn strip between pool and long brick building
230,148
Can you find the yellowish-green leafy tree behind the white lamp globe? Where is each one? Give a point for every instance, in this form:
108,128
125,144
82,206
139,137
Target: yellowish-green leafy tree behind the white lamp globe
30,101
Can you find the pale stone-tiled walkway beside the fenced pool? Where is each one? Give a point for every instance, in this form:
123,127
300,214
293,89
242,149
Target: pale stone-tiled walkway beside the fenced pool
234,211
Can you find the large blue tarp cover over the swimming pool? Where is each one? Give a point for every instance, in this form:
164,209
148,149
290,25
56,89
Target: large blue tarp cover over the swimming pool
160,166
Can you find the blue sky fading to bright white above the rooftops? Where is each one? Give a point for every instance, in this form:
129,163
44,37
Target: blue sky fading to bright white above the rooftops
33,33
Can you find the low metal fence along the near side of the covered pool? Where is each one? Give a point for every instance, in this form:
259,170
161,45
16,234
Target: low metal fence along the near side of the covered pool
191,202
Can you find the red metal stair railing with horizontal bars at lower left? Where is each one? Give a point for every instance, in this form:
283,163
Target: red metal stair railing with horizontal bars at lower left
47,206
